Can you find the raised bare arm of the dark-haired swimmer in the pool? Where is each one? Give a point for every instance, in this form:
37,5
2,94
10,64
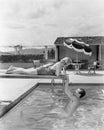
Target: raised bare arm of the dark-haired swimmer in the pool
67,90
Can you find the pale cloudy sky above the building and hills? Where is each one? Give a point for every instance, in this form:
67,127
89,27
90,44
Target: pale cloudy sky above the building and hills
40,22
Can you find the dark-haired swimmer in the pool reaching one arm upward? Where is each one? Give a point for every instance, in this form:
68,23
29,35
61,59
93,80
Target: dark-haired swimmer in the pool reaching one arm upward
73,103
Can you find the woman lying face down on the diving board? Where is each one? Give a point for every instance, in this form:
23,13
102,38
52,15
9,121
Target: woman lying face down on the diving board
50,70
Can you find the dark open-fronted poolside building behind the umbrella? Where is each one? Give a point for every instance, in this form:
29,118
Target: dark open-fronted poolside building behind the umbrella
96,43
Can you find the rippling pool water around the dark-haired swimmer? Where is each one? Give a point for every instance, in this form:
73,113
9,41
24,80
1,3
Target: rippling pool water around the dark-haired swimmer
35,112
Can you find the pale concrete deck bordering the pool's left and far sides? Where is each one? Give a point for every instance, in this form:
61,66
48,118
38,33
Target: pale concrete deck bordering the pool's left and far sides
12,90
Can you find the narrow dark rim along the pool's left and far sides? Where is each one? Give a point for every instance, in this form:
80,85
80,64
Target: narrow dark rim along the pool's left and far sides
26,93
